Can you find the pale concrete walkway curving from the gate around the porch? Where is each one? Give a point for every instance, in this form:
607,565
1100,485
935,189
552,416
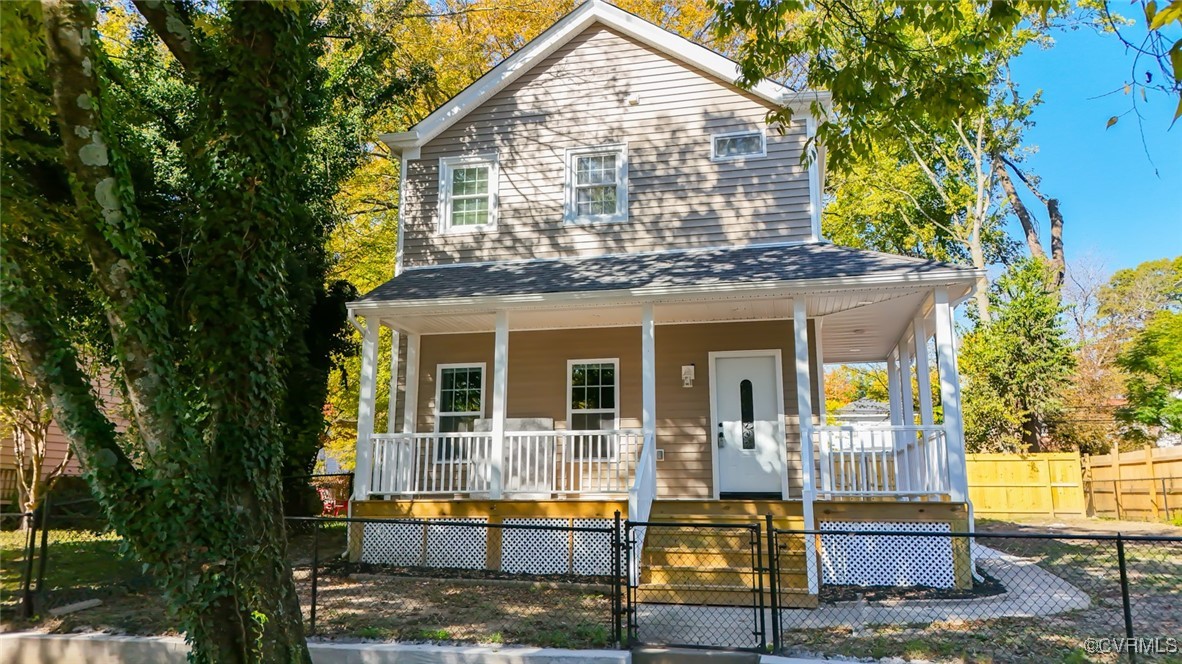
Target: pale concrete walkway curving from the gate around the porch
1030,593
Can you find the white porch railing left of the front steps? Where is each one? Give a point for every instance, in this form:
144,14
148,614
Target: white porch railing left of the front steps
554,464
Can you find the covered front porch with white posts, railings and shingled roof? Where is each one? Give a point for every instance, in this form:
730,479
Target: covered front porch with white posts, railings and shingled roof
661,341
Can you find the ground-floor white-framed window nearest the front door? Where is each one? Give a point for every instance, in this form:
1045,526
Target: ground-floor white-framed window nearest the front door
594,399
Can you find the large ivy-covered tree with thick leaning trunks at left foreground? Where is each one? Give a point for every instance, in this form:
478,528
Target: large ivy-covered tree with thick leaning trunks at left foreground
196,175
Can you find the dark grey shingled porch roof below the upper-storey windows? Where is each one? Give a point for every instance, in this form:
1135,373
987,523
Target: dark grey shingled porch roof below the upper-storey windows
704,268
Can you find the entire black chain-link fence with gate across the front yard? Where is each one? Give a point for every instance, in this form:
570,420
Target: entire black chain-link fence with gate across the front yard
1003,597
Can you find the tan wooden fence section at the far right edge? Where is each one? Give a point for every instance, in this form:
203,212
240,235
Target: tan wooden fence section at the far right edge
1141,485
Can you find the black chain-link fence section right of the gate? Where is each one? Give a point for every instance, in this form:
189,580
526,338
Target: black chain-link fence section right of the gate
1002,597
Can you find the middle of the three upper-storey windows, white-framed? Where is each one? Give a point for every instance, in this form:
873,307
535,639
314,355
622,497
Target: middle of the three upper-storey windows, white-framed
598,185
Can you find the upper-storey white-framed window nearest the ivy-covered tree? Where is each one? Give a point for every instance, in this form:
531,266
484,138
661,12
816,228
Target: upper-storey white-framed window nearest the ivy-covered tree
467,193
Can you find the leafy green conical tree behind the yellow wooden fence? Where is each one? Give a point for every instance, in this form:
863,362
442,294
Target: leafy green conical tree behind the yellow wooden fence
1017,364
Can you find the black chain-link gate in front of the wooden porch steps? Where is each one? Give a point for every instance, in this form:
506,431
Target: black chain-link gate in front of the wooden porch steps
696,585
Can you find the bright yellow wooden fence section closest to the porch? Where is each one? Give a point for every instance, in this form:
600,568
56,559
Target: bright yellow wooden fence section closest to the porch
1011,486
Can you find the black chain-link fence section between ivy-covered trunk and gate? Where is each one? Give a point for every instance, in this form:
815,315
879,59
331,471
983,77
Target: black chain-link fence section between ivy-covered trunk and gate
363,577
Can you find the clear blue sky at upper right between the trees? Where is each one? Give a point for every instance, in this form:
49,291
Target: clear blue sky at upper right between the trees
1115,209
